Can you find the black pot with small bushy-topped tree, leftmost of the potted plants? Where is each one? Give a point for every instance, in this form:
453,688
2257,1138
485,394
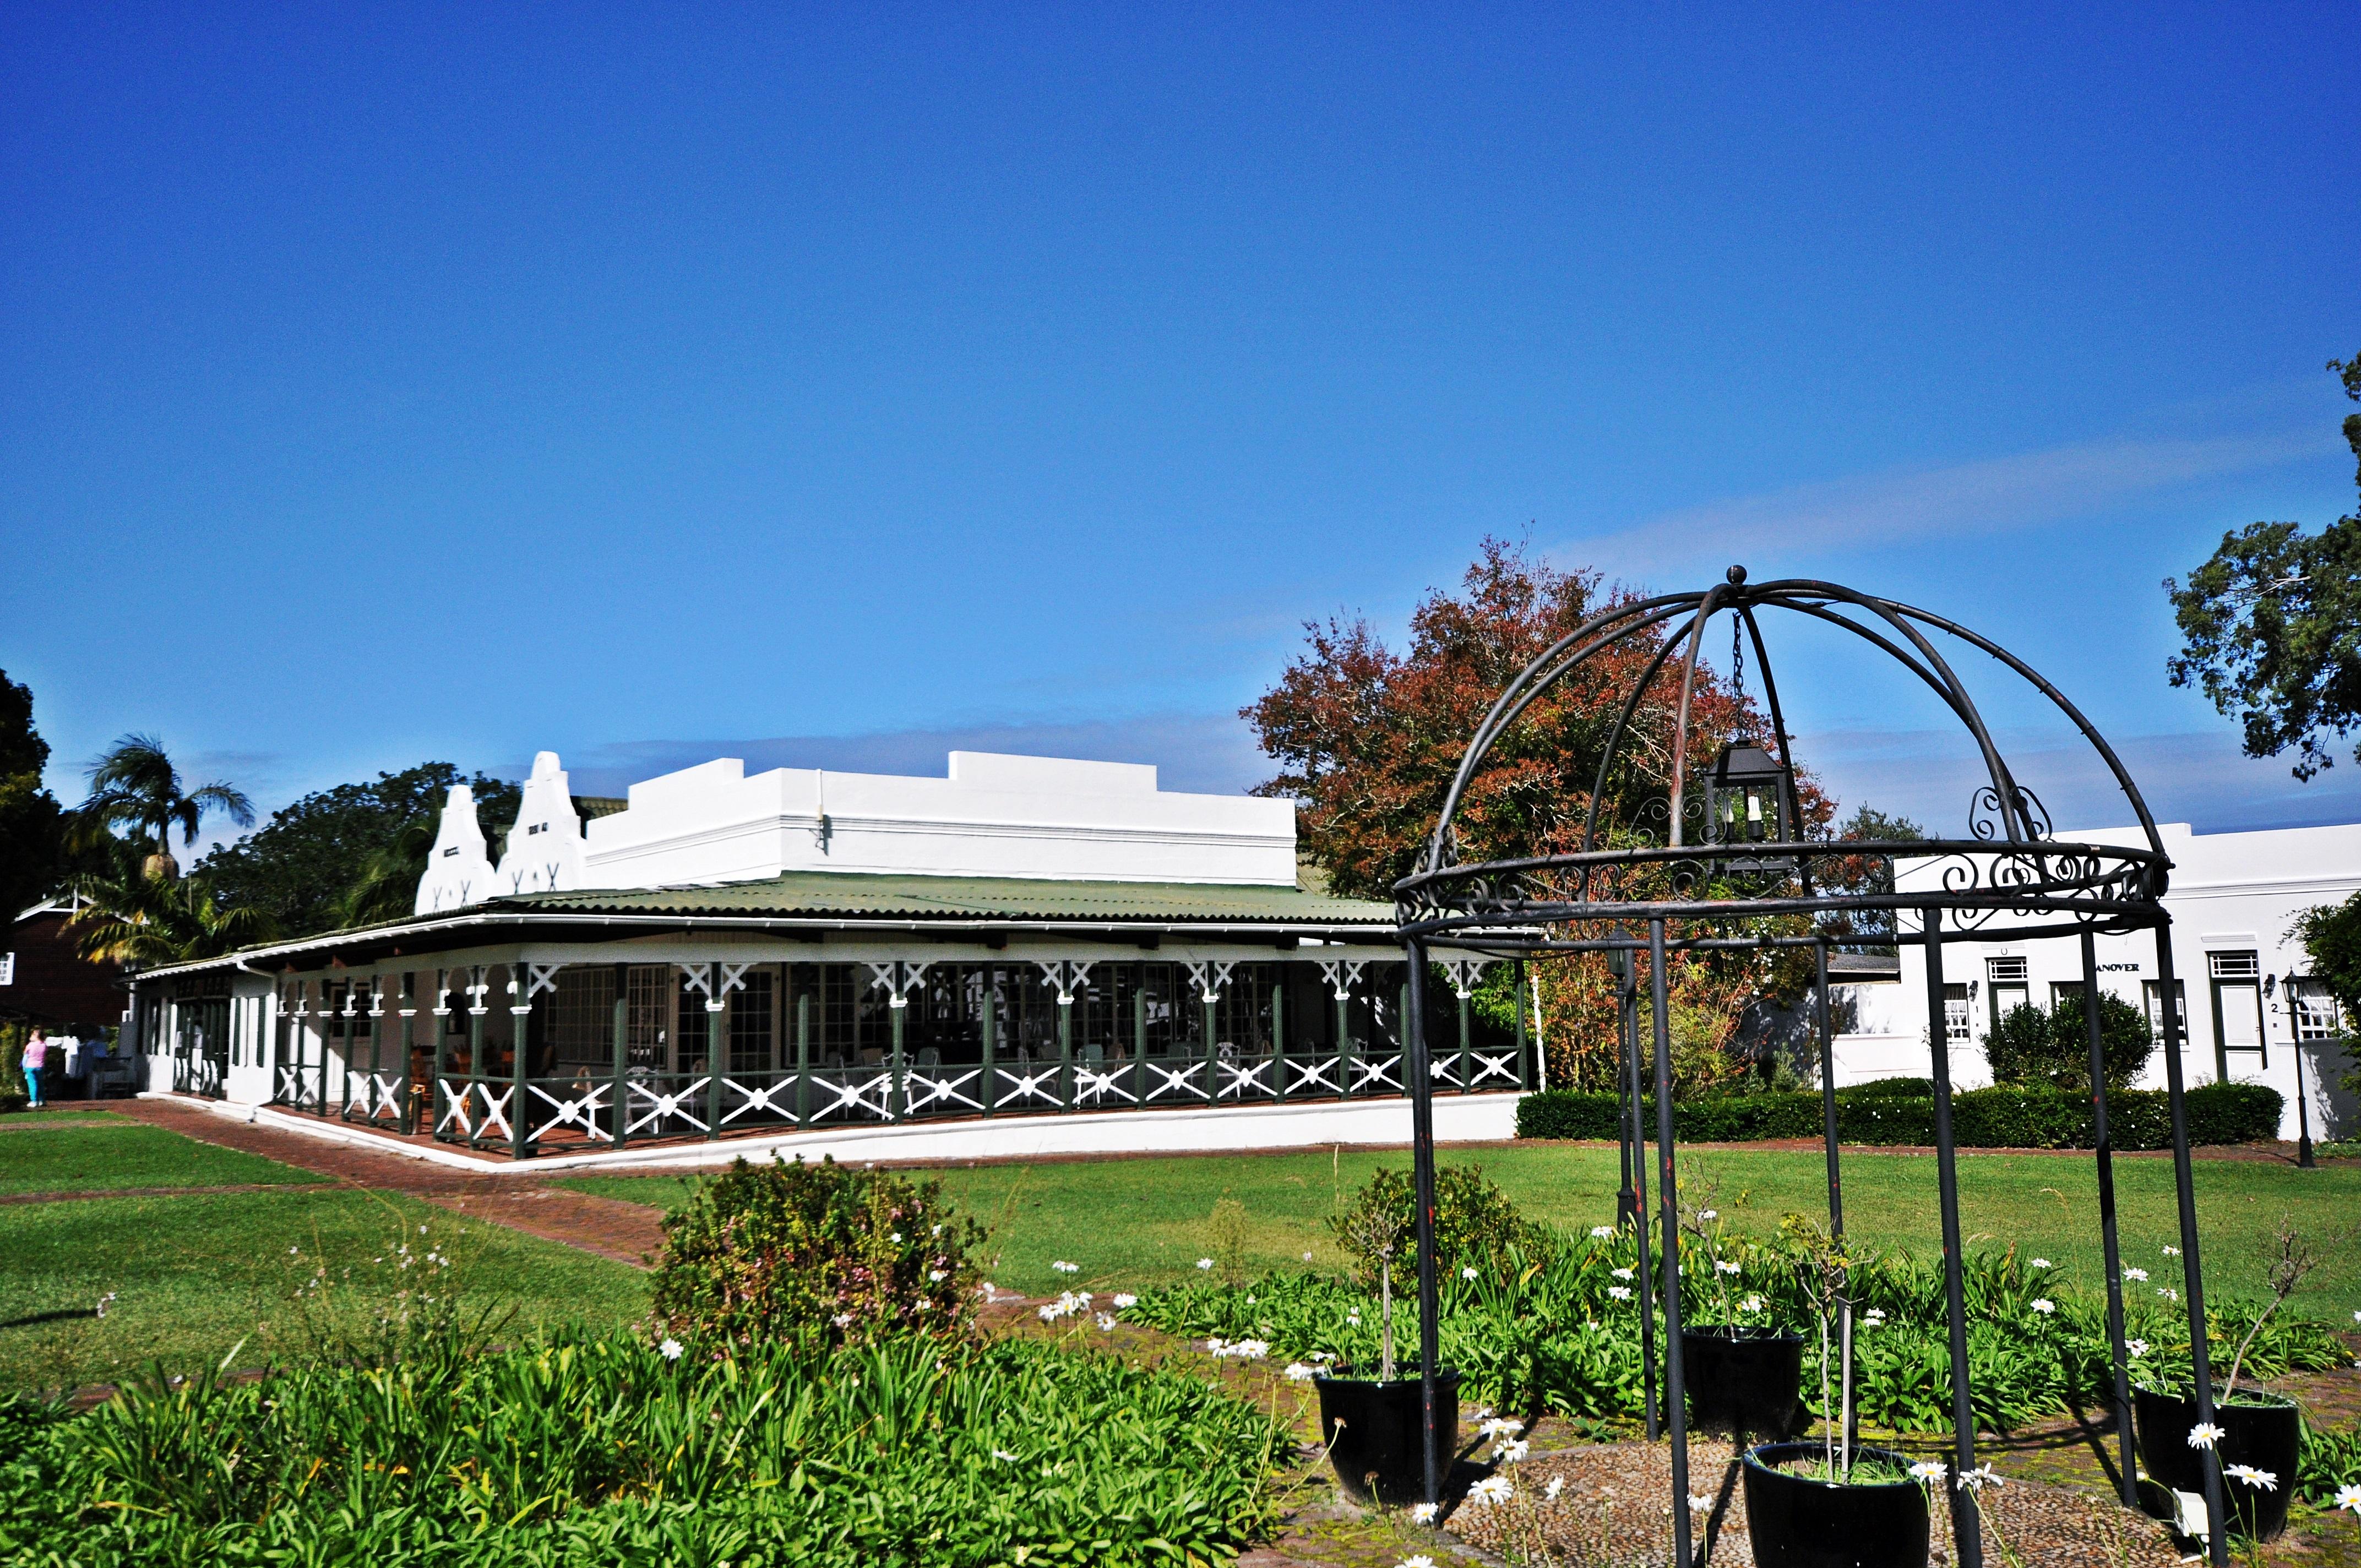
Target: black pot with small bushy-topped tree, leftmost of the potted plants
1375,1425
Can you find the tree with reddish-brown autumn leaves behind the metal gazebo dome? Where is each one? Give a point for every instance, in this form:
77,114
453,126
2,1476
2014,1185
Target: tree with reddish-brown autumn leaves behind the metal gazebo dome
1368,743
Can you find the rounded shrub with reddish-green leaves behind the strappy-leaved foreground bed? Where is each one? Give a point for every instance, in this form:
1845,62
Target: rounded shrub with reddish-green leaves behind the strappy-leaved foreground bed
813,1255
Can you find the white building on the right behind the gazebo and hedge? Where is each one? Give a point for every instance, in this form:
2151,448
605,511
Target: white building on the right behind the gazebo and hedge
2251,1012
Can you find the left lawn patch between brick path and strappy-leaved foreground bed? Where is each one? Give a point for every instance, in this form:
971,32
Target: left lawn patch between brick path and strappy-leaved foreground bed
195,1276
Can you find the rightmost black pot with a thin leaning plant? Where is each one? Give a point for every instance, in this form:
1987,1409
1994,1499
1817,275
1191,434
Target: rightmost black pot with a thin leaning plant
2256,1435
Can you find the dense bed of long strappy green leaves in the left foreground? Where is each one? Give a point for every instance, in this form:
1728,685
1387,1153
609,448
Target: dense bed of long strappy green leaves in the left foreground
603,1451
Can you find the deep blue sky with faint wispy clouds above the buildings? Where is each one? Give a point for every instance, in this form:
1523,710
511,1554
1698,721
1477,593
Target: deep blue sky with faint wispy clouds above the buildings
837,386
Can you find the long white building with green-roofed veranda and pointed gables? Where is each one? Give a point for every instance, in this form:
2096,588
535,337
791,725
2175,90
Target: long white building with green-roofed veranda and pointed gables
813,950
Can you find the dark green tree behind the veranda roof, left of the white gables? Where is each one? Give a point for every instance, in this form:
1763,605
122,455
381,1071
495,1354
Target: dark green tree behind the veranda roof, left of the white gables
351,854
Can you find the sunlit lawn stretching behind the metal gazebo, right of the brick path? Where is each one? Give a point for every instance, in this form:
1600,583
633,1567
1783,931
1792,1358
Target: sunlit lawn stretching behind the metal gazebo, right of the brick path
1144,1222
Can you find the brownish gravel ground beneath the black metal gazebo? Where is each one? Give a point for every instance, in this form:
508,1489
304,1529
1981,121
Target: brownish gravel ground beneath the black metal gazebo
1614,1515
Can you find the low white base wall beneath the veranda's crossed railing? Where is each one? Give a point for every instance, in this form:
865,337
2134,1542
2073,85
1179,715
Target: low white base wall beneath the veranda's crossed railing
1474,1118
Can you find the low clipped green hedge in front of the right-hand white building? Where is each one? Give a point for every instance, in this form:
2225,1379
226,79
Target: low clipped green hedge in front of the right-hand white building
1982,1118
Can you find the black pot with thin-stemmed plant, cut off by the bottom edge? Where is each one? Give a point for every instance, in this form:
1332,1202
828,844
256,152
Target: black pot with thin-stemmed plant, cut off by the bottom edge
1833,1505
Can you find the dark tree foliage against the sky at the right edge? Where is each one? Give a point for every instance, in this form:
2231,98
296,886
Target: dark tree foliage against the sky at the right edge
2272,627
